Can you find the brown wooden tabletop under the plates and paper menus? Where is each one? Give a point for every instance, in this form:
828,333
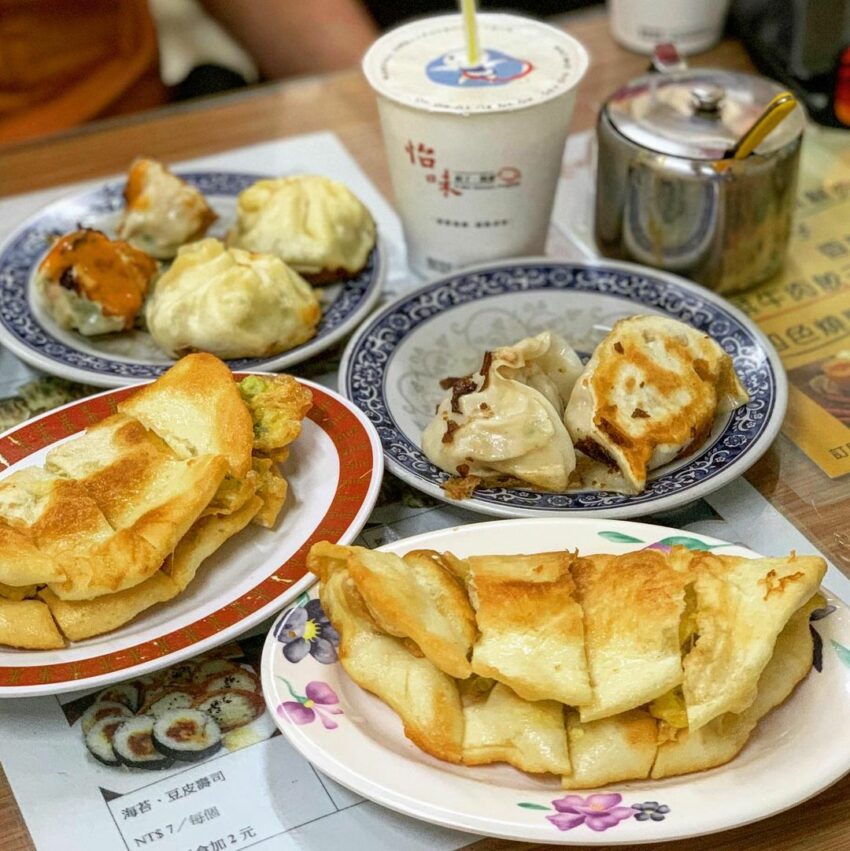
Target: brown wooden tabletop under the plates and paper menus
344,104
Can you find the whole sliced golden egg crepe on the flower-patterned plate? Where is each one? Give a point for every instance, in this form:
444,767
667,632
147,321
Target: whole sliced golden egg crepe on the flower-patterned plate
601,668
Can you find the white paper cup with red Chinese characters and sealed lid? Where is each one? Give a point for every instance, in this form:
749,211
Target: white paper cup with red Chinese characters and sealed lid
474,152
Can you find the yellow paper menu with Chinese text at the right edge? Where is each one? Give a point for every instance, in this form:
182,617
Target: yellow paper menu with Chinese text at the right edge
805,310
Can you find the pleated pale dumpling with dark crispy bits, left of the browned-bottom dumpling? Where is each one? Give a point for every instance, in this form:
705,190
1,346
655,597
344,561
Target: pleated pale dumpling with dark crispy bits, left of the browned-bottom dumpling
505,421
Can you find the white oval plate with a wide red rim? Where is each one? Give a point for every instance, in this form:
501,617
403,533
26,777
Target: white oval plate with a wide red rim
334,473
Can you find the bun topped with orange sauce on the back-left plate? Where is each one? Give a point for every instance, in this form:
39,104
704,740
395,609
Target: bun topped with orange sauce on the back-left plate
94,284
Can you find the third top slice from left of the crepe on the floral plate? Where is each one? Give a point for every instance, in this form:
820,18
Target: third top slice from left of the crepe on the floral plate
633,605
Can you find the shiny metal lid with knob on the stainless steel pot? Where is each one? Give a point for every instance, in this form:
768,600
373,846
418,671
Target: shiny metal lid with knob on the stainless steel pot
698,113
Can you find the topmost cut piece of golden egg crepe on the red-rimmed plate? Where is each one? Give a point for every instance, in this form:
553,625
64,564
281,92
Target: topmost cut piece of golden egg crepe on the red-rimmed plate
196,409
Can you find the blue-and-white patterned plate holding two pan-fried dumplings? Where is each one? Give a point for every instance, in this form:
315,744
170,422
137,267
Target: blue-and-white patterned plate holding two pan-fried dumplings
392,367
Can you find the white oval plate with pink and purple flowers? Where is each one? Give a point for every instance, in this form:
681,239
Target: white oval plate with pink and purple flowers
350,735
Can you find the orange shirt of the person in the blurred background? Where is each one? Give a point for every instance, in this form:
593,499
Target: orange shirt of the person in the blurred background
63,62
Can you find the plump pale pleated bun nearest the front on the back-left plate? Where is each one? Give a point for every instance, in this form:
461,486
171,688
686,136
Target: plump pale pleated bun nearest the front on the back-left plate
231,303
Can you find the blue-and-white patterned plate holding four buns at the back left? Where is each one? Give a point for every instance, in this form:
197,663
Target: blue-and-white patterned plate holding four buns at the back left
116,360
